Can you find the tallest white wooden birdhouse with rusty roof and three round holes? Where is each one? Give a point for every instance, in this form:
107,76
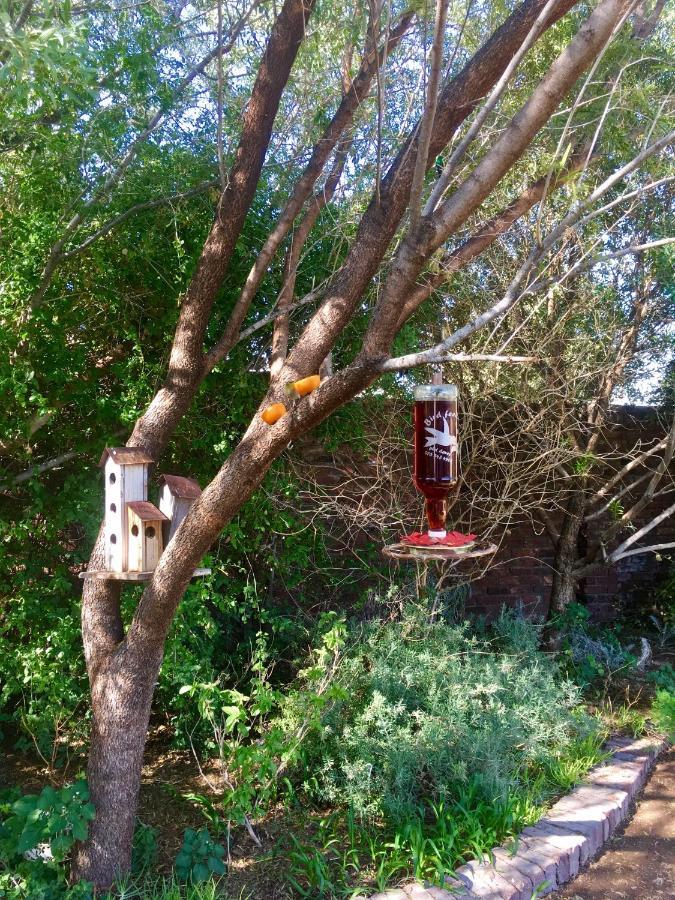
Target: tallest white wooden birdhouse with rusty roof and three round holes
126,479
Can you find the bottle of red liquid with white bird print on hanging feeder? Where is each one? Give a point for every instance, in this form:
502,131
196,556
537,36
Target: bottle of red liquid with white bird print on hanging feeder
435,459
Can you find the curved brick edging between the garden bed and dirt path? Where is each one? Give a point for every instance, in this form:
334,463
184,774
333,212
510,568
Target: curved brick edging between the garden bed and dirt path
570,833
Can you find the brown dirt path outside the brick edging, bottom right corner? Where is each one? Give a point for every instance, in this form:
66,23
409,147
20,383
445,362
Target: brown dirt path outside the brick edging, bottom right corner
638,863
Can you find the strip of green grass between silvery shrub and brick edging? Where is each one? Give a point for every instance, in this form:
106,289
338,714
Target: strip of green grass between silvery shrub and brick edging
344,856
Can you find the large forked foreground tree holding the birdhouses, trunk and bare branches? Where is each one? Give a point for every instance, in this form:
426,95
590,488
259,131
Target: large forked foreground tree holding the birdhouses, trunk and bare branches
123,664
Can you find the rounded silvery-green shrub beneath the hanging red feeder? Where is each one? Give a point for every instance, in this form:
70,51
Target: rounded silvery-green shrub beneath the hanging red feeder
431,706
